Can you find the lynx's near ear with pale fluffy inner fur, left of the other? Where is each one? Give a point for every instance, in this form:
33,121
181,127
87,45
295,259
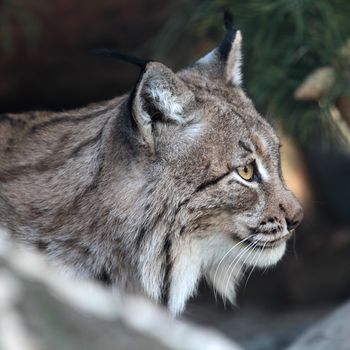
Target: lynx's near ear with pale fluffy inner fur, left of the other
160,98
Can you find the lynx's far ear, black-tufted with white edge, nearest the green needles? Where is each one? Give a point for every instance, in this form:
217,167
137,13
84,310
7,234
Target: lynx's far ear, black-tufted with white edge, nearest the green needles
224,62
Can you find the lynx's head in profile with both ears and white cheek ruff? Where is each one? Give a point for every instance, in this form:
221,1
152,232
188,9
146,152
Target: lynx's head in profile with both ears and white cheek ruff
216,203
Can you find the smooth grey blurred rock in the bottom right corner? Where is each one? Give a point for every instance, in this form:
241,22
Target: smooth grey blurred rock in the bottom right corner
333,332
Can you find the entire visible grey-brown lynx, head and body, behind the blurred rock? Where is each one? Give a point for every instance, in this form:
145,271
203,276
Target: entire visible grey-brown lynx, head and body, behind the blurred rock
150,192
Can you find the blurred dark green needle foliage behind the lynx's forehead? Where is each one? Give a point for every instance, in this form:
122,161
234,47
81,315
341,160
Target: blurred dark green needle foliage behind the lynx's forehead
284,41
